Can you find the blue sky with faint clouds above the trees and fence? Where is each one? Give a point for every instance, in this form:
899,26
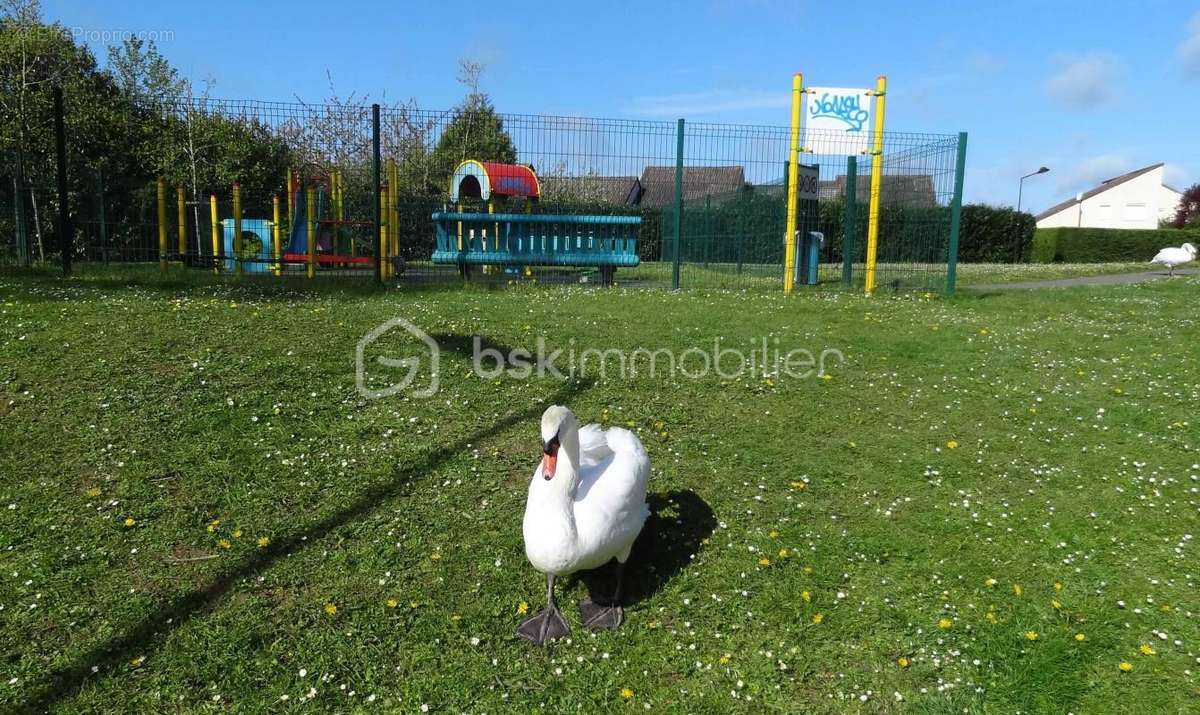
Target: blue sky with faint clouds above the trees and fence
1087,88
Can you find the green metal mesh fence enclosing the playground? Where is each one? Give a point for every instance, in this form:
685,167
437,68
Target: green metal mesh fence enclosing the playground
711,197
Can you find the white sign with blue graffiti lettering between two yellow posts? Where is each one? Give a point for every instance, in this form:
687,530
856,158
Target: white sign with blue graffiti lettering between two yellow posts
837,121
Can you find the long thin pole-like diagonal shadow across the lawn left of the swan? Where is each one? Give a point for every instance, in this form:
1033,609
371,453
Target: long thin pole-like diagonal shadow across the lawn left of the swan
148,635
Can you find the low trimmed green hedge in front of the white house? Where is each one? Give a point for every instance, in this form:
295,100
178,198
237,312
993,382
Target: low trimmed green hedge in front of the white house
1105,245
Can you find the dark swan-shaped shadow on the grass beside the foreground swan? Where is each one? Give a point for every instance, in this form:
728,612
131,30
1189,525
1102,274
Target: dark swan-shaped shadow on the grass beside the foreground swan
680,522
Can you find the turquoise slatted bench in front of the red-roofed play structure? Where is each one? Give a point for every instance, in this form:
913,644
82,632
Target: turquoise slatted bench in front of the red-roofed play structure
513,241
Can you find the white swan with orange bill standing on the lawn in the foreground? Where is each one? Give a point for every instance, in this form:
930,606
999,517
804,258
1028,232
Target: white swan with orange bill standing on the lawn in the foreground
587,506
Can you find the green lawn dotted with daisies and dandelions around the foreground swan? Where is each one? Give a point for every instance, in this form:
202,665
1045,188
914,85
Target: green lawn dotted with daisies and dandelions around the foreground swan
988,508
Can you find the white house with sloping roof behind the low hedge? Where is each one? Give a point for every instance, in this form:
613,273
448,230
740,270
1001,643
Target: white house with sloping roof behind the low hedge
1138,200
